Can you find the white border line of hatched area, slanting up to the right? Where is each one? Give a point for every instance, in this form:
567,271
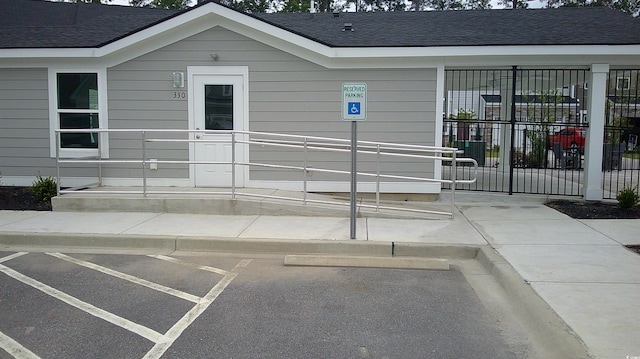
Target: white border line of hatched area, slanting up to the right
193,314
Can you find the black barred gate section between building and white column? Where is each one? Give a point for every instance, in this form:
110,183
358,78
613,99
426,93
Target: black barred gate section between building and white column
525,127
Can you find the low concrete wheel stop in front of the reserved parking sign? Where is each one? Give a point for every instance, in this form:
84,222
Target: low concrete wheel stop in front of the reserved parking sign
367,262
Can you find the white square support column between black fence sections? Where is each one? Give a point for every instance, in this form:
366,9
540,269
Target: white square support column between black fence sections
595,132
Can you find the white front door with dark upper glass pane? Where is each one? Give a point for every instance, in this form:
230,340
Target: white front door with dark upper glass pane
218,102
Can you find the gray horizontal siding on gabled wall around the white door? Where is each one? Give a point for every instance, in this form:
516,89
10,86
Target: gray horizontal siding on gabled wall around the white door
287,94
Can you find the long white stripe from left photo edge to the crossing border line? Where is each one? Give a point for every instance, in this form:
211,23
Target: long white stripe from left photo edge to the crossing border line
143,331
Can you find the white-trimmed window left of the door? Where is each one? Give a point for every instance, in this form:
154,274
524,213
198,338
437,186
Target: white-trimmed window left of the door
77,100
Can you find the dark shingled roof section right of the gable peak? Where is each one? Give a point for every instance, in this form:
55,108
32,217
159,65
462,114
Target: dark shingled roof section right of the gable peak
563,26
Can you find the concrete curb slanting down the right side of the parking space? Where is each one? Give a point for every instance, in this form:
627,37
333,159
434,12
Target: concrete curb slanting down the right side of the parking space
548,329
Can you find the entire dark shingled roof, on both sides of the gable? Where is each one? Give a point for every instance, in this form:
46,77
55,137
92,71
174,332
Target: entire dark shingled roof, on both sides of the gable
42,24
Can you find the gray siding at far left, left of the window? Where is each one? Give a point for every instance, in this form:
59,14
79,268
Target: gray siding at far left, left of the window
24,123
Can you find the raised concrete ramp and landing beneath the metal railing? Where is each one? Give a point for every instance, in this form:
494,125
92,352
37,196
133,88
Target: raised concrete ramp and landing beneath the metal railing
247,201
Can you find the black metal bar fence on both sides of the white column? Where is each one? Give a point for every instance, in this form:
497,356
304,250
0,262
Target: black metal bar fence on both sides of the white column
527,129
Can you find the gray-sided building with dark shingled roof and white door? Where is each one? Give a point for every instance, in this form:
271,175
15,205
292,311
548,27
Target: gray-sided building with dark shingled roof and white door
88,66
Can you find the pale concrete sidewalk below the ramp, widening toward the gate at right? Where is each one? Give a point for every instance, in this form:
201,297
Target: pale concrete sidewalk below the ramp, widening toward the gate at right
580,268
